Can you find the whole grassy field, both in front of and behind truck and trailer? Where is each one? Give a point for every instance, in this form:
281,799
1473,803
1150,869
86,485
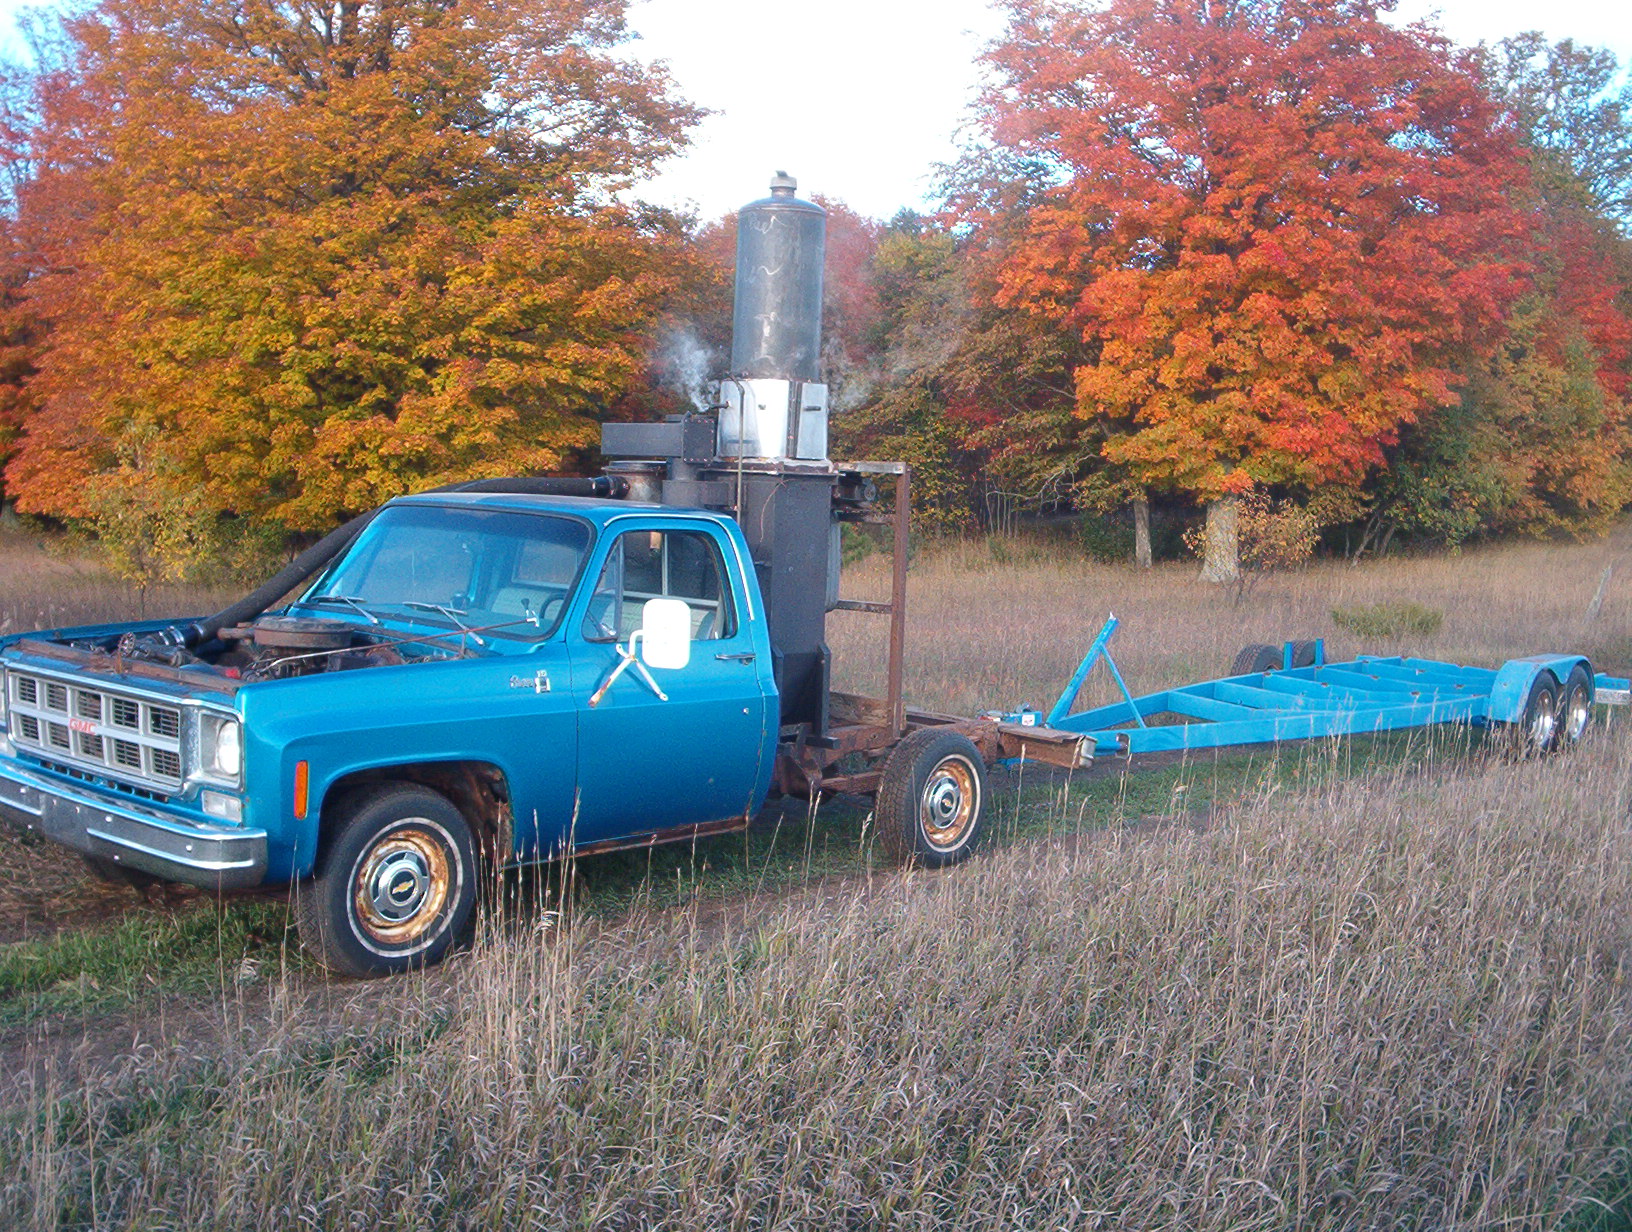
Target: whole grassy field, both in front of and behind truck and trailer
1349,985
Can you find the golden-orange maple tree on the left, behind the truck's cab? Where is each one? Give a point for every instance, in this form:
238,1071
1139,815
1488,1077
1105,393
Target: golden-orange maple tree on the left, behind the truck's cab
319,254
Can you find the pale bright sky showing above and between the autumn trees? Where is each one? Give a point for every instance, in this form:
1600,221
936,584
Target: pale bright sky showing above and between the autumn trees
861,99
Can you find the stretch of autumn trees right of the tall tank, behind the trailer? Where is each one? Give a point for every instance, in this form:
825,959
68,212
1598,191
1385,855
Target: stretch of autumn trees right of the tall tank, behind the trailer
1287,250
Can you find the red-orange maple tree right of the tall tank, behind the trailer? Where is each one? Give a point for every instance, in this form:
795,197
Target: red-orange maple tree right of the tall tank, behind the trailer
1275,226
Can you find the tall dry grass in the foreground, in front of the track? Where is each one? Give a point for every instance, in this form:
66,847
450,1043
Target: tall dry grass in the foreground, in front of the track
1385,1004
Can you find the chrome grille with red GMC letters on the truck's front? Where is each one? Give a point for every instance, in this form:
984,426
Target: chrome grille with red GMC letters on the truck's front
126,738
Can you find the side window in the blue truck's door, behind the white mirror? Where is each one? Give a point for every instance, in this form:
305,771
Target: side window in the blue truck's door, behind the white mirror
662,565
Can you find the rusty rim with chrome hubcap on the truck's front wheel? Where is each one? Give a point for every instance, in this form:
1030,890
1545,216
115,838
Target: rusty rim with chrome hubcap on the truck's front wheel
401,885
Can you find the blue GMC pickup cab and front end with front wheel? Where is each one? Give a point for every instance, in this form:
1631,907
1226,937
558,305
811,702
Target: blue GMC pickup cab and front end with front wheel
472,683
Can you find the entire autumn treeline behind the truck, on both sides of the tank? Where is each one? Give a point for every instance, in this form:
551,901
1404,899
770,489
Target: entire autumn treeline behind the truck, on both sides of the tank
268,264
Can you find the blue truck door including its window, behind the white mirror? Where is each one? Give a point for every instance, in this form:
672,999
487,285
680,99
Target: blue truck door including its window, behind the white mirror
704,755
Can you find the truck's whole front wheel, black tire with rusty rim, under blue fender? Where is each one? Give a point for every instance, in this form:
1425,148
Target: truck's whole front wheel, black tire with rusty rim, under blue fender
396,884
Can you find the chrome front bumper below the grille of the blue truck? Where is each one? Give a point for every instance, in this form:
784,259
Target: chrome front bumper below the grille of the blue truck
216,858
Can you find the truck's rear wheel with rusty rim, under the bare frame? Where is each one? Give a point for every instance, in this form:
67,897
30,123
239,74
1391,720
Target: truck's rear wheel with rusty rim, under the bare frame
933,799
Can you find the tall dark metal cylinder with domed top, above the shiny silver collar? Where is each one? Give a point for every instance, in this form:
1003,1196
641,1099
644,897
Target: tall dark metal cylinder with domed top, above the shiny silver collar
781,246
